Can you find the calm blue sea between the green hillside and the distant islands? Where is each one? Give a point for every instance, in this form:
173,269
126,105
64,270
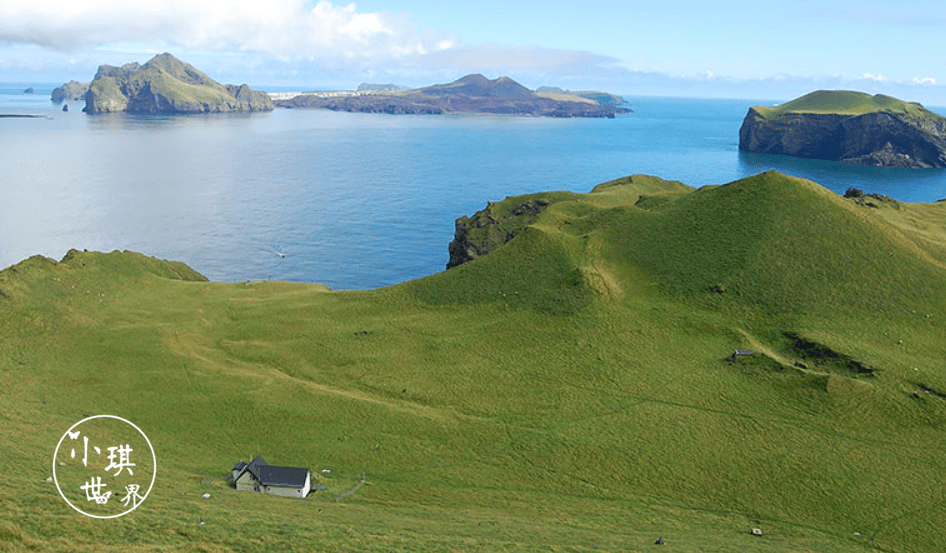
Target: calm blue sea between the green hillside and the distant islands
352,200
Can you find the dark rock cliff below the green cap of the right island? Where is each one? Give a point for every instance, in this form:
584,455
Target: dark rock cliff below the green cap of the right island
882,138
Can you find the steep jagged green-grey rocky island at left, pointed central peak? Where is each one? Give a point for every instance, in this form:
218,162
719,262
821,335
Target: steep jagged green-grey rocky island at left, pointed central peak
165,84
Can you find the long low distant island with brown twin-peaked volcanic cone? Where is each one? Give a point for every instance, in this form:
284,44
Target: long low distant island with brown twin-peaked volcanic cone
470,94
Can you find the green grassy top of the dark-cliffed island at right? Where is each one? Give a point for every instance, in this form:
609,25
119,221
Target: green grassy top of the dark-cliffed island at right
843,102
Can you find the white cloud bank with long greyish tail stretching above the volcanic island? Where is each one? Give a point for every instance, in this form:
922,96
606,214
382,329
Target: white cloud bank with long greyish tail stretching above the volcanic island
295,33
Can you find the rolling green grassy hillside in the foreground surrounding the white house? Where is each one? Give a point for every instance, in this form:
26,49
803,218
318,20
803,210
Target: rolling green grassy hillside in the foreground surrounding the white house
569,391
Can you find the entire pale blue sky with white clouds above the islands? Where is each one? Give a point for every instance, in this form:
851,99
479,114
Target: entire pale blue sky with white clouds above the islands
734,49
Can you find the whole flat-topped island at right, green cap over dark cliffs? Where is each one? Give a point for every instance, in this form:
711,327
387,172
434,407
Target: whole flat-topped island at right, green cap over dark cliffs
848,126
